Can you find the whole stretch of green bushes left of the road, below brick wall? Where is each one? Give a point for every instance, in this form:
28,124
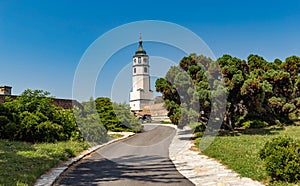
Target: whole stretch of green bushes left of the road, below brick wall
34,118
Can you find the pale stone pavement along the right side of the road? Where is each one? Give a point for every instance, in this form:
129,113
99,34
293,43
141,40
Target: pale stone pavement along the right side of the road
200,169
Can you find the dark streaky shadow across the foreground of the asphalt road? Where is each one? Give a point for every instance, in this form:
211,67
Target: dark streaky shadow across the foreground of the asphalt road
97,170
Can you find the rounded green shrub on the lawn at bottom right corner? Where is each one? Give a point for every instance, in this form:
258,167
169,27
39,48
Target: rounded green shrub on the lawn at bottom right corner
281,157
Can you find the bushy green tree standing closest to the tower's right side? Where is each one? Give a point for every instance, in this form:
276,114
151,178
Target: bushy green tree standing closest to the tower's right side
186,90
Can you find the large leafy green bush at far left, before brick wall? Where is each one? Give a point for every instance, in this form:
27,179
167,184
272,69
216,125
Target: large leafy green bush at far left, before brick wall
32,117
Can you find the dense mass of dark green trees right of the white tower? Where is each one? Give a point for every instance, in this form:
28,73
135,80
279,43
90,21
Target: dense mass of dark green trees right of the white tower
258,93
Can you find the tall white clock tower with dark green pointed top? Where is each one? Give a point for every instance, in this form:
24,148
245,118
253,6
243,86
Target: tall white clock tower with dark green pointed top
141,94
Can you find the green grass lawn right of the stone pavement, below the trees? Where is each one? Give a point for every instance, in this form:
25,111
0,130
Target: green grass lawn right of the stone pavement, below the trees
240,152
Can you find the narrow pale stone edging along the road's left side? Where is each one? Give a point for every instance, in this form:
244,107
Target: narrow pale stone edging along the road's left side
49,178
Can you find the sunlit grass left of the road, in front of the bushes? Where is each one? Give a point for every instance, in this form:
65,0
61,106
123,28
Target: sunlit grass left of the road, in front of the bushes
22,163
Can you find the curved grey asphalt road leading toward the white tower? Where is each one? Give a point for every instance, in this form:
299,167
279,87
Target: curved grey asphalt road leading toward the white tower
140,160
